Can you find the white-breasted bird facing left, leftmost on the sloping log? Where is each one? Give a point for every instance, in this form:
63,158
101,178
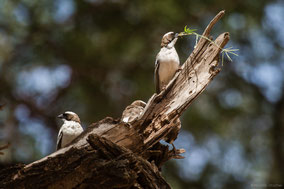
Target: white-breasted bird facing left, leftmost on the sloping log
70,129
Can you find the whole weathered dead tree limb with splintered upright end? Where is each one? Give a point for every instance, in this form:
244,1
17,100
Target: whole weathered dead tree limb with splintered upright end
114,154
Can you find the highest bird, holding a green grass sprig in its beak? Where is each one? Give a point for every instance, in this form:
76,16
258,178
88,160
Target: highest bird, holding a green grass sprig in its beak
167,61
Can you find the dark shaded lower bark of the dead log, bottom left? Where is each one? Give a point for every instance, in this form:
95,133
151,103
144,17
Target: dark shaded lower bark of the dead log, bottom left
103,164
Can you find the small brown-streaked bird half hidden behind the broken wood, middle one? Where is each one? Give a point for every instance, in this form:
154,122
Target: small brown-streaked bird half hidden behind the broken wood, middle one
133,111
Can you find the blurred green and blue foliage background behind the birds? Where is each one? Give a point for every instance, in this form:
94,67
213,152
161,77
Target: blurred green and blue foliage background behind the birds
95,57
